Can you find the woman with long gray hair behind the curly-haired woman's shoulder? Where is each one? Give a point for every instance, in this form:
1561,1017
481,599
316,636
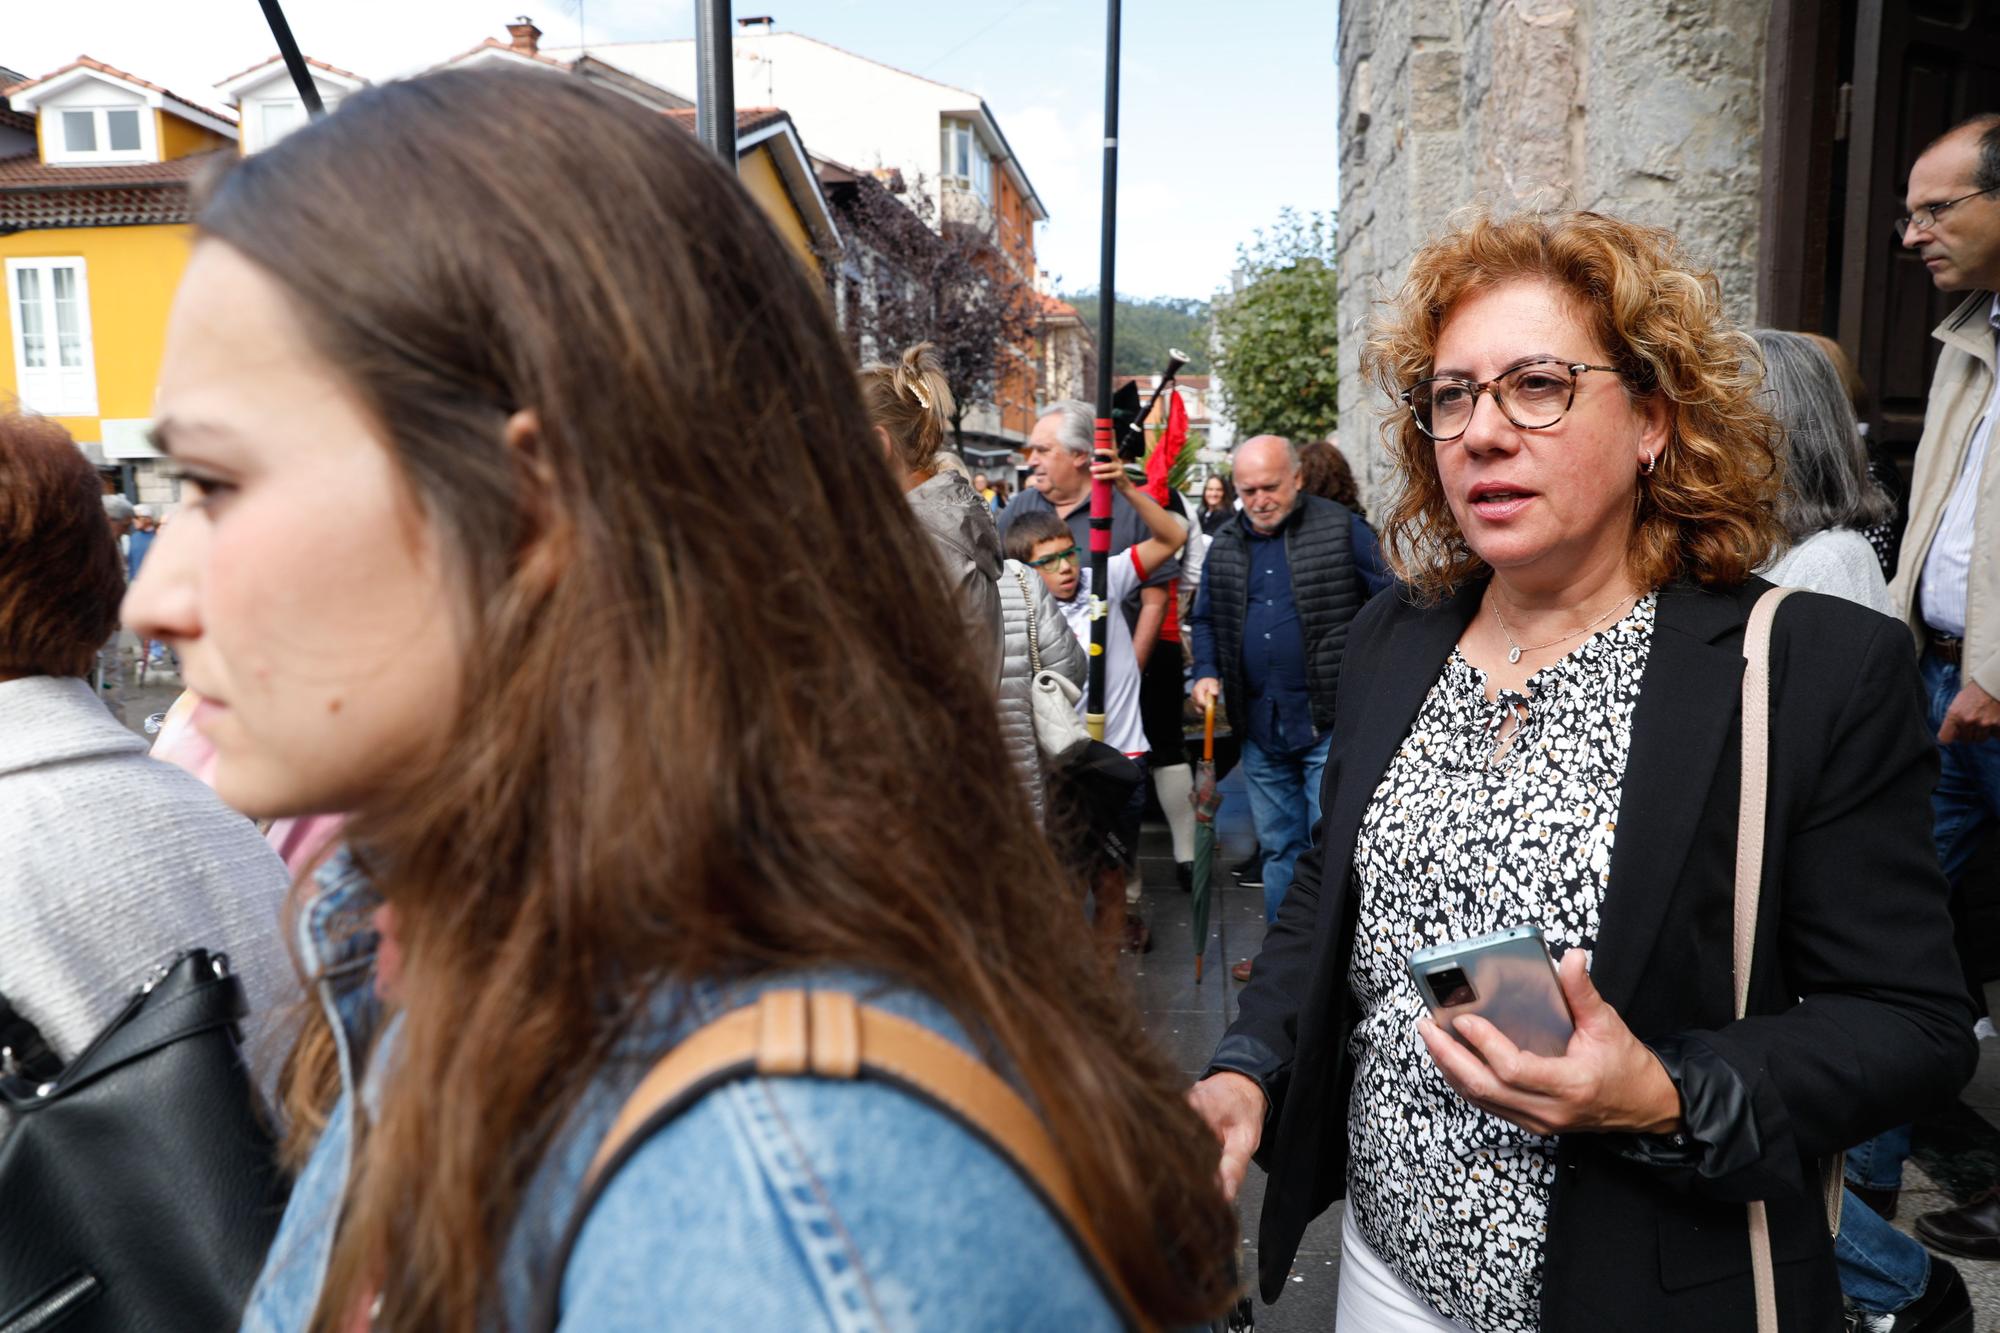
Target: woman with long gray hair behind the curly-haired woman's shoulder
1829,497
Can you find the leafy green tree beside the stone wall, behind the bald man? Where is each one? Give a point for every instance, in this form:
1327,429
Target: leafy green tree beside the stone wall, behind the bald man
1277,335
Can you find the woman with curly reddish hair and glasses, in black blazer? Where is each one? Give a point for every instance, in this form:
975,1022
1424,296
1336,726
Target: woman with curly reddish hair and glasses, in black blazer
1545,734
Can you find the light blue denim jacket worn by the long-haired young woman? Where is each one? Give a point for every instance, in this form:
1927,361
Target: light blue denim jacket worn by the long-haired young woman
773,1204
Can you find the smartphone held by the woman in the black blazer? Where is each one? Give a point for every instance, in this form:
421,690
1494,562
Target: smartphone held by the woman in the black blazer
1505,978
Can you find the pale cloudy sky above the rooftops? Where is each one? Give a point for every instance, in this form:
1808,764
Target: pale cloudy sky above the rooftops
1227,109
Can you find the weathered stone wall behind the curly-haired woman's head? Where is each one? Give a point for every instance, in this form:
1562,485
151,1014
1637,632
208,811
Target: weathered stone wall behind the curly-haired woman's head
1651,111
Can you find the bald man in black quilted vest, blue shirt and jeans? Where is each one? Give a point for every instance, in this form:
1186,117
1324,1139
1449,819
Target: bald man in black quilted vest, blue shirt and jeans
1279,587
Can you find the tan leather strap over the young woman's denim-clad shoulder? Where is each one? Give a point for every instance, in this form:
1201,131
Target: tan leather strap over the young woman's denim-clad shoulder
829,1036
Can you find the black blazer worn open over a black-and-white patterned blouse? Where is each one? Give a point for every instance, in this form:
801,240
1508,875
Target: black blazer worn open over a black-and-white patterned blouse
1853,922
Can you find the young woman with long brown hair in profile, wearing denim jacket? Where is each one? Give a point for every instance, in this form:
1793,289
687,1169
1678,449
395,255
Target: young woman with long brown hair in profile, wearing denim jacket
533,529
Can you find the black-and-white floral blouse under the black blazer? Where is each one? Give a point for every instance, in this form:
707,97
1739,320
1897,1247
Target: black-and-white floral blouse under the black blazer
1469,834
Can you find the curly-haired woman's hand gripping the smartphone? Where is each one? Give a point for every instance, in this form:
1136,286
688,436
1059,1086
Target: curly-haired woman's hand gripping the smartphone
1605,1082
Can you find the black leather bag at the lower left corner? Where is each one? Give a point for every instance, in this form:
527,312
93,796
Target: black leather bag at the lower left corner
139,1186
